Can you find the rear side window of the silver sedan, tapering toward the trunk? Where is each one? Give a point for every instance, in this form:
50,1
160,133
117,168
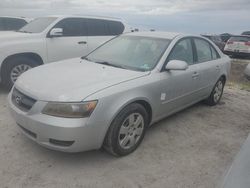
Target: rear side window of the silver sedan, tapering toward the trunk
205,51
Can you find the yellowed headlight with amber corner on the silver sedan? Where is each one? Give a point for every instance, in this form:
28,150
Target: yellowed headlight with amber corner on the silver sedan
70,110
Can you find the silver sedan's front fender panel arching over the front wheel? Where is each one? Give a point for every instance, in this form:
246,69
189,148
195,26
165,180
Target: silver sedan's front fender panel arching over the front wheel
111,101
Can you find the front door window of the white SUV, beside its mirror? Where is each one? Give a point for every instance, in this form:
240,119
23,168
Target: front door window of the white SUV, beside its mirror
73,27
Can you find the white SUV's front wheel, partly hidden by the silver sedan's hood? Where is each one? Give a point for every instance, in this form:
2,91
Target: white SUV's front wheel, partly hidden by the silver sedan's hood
11,68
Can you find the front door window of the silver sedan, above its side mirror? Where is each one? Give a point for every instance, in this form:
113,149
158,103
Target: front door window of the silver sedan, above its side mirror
183,51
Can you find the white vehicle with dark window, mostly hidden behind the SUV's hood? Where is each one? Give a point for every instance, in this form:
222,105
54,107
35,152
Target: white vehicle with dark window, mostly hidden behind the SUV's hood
12,23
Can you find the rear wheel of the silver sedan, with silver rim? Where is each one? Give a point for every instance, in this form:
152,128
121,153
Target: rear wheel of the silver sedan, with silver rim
217,93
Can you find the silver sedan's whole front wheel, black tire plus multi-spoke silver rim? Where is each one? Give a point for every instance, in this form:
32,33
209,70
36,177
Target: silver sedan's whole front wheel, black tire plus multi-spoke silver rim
121,138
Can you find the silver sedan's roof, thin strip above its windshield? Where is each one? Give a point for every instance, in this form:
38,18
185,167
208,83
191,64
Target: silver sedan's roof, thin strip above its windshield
155,34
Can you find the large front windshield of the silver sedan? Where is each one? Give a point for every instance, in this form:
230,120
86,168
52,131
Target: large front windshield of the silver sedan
131,52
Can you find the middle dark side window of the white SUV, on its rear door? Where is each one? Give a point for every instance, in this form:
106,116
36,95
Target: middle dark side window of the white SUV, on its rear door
97,27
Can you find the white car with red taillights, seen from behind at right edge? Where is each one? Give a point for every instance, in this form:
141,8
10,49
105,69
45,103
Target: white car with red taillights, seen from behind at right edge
238,46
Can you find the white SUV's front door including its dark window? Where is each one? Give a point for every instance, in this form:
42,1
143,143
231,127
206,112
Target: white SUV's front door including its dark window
73,42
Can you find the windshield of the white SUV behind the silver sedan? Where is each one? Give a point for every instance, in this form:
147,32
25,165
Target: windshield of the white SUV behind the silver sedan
38,25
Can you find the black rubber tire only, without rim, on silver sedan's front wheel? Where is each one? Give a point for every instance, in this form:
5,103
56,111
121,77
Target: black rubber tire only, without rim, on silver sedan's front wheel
111,143
